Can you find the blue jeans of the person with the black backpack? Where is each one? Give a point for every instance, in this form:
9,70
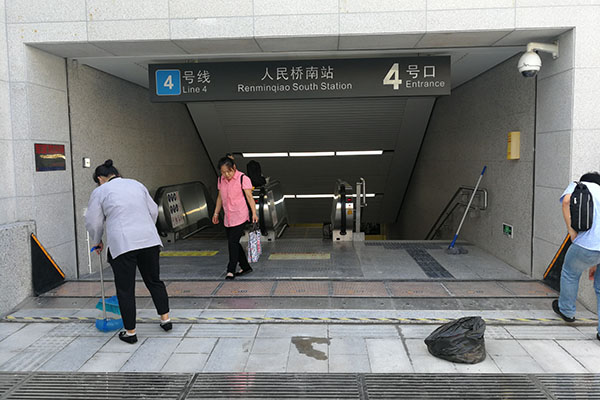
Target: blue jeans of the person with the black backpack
576,262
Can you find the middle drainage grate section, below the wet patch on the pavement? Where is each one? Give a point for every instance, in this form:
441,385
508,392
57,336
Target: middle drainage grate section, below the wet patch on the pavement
275,386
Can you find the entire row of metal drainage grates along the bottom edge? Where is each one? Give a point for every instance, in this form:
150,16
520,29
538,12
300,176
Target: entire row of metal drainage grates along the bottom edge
234,385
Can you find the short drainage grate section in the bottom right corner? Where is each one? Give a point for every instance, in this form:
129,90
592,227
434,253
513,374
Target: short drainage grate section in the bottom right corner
572,386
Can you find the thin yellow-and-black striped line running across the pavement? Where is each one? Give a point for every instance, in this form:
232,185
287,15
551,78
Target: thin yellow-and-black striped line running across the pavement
393,320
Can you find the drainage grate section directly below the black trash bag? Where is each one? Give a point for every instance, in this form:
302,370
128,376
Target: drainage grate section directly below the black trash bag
440,386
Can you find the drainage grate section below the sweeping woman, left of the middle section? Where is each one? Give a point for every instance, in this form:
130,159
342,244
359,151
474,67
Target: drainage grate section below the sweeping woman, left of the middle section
53,386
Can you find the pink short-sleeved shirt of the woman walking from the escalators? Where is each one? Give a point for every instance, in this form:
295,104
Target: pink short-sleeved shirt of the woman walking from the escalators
233,198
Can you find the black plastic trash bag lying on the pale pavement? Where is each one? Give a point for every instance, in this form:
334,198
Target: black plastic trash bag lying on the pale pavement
459,341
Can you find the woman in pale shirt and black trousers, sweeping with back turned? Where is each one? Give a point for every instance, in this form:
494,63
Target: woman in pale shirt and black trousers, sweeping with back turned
129,213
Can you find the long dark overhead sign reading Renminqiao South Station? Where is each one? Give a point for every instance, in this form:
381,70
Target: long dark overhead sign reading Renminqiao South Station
300,79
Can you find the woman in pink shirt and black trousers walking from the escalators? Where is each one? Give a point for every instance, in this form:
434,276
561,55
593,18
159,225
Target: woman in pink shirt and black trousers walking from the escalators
235,196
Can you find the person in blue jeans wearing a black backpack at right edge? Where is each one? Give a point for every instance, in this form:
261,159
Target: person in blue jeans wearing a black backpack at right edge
580,206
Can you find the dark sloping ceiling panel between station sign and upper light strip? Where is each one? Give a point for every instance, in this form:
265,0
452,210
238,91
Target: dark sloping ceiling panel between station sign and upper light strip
311,125
